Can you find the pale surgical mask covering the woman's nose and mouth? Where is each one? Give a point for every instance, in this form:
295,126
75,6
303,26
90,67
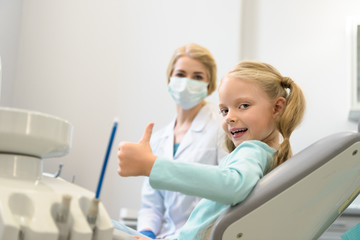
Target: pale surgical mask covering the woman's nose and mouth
187,92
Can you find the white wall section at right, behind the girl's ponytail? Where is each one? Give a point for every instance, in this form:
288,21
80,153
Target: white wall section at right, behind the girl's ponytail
307,41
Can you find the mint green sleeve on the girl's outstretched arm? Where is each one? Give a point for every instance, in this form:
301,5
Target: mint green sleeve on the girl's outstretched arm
228,183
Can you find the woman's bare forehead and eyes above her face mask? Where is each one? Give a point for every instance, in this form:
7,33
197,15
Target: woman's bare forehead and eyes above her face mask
187,67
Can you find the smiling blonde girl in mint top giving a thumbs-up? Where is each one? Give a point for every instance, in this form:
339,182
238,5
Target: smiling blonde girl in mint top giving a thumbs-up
259,107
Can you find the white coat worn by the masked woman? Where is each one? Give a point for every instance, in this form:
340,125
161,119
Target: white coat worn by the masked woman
163,211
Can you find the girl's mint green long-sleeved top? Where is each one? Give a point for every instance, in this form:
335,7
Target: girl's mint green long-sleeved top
220,186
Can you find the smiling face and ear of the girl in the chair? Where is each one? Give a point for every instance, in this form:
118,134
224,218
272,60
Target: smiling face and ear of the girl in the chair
248,113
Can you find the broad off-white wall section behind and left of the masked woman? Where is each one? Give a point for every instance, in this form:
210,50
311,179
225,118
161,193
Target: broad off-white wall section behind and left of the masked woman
89,61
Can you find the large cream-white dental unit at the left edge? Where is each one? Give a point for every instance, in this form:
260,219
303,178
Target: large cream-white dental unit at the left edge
34,206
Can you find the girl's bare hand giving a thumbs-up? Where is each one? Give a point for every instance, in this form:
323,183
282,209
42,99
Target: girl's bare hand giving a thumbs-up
136,159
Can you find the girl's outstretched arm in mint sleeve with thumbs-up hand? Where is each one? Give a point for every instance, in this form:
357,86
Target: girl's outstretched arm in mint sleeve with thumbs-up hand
229,184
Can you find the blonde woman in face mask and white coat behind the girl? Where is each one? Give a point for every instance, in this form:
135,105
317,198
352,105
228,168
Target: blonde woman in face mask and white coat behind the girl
193,135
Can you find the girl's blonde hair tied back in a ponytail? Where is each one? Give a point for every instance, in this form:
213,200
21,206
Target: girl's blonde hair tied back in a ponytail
275,85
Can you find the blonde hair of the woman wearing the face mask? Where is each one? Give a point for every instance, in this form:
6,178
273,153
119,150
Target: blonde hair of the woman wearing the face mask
201,54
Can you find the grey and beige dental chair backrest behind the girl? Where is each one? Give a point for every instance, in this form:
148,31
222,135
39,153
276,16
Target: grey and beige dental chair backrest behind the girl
301,198
